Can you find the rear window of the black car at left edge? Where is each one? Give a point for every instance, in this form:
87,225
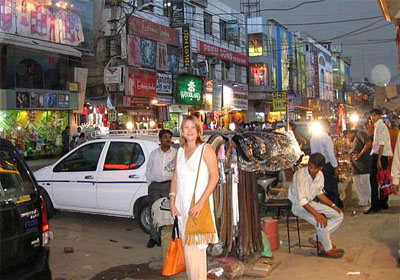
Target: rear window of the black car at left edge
15,184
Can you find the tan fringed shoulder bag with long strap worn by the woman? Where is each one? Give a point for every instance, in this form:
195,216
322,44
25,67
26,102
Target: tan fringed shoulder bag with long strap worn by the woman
200,230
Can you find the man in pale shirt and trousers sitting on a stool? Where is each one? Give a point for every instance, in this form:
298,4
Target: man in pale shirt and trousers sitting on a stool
325,216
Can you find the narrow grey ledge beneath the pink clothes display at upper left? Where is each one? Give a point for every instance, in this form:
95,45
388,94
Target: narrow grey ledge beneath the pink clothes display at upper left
32,43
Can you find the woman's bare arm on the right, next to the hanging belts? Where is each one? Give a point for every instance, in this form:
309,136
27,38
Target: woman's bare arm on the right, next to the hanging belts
210,158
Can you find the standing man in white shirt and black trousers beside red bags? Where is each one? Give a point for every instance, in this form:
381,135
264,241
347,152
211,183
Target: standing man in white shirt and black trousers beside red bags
381,151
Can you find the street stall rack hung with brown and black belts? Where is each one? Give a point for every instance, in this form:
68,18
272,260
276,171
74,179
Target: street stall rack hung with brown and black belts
241,158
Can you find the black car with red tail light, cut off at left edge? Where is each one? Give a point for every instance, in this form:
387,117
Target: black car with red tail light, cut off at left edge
25,231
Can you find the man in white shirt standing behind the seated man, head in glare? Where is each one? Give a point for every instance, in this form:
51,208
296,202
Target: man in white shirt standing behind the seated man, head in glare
322,143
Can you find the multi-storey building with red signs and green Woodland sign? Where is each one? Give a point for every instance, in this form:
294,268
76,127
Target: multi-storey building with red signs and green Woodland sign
178,57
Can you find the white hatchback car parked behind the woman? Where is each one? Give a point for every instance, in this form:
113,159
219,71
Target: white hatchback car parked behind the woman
105,176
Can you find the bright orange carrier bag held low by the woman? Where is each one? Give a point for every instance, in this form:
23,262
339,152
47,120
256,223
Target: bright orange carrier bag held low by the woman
175,258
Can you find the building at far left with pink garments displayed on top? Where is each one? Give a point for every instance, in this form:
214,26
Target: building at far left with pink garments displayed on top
41,78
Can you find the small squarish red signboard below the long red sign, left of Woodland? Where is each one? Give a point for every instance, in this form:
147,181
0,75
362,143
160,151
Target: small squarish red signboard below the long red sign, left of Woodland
141,82
